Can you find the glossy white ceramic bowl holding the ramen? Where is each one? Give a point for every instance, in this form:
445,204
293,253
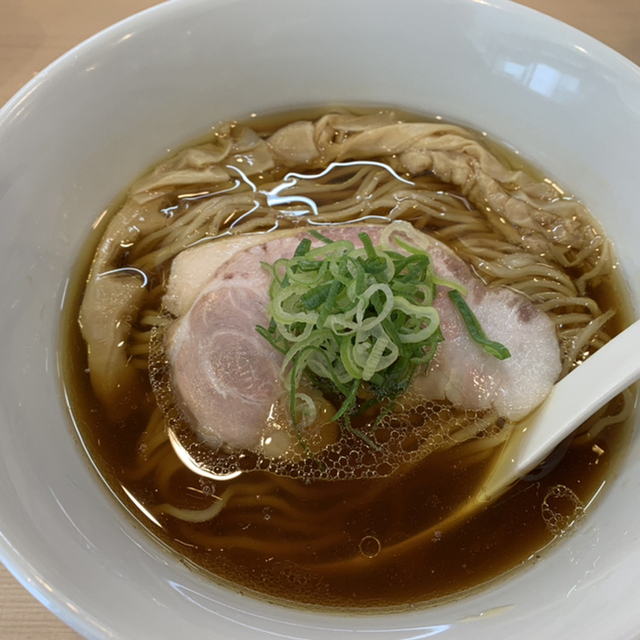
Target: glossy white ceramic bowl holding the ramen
77,134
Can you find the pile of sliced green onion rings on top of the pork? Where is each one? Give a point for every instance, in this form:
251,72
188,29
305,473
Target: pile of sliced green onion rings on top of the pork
358,322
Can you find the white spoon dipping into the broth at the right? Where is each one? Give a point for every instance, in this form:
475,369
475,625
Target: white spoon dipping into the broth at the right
571,401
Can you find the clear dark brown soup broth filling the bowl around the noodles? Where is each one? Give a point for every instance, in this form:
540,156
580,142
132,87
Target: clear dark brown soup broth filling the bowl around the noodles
318,543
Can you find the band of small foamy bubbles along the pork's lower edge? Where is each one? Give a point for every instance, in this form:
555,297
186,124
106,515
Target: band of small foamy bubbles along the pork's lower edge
413,429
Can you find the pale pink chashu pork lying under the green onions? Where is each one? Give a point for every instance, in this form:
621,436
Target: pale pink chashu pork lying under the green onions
226,377
